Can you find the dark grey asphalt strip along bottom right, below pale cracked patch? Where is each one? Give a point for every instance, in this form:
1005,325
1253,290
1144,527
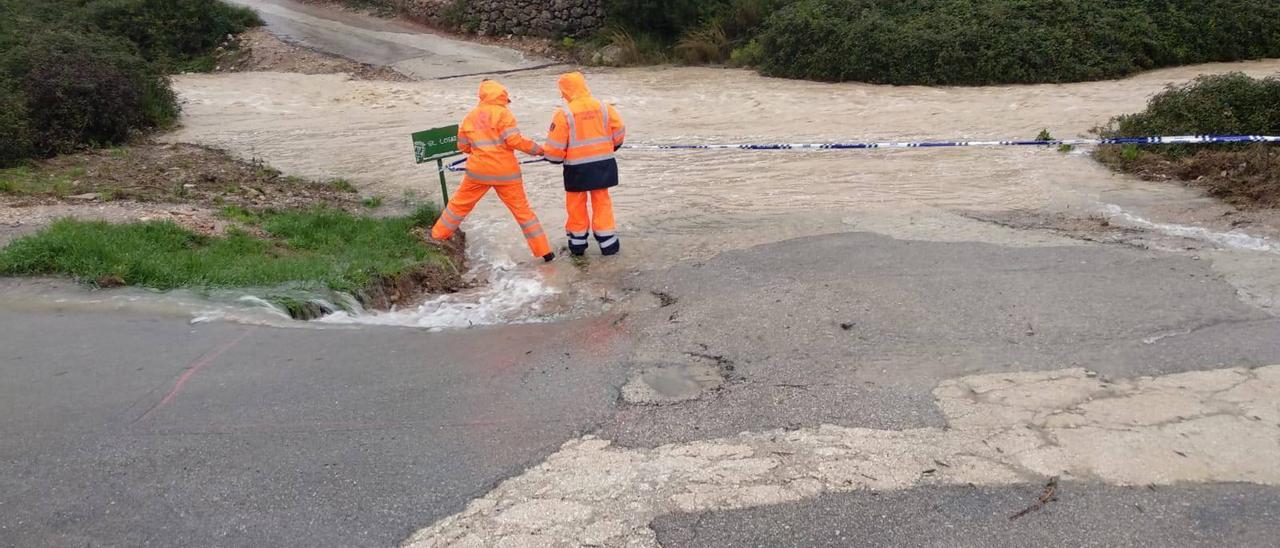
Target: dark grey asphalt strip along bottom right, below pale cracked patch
1085,515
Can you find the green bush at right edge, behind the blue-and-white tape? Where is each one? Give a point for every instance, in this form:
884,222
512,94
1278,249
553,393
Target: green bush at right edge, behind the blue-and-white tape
1226,104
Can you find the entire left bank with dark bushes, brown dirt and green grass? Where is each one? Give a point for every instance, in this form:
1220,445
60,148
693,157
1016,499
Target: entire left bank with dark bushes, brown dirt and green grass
81,77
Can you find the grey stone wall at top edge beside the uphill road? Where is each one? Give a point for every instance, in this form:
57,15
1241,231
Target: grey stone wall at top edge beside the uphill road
548,19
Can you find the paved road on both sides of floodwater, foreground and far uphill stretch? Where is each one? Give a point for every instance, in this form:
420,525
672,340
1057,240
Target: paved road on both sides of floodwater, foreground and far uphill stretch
838,390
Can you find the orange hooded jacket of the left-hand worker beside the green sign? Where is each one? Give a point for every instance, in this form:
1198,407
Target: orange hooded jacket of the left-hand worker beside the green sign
490,138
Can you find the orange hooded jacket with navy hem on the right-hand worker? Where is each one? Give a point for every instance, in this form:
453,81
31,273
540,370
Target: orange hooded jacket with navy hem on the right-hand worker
586,134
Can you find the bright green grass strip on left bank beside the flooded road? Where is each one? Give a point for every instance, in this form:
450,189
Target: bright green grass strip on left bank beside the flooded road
323,248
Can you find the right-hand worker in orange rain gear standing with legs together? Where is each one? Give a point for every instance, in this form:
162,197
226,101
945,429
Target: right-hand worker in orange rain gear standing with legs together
584,136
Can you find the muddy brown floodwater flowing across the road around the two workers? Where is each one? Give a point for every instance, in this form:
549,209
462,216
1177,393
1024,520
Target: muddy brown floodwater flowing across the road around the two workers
679,205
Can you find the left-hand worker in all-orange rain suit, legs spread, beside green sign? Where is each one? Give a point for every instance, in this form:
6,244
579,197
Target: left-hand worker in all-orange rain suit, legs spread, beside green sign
490,138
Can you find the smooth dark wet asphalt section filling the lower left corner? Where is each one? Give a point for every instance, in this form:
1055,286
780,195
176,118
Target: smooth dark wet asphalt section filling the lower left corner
139,430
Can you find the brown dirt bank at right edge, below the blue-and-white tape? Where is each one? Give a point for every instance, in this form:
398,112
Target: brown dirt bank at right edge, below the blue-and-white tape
1246,179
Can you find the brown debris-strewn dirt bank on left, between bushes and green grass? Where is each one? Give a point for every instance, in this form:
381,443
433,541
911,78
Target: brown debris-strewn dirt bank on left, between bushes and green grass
188,185
